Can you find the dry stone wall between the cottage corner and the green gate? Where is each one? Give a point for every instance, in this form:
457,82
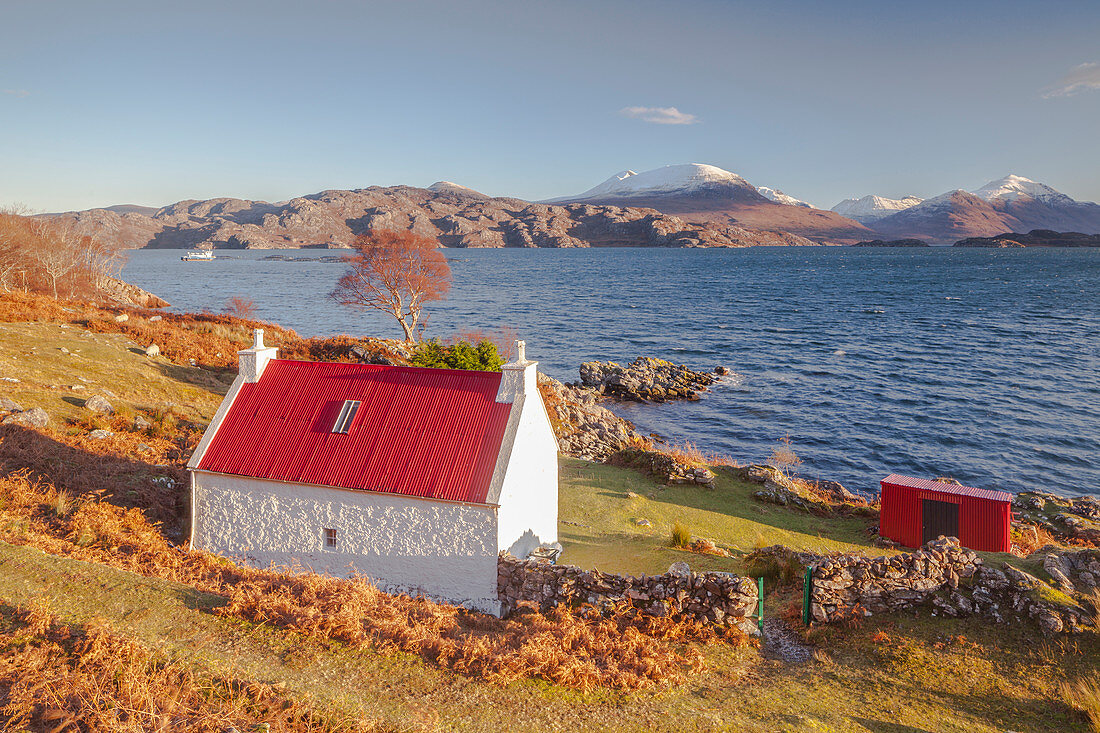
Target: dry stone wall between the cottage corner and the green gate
716,598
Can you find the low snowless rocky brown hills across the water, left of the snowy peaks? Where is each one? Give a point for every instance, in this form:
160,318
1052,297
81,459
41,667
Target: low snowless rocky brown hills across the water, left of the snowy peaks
457,217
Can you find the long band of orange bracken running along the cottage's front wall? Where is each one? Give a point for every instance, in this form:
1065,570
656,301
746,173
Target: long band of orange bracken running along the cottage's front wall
580,649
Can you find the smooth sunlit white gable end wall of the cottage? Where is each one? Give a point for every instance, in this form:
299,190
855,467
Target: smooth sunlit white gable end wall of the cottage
529,504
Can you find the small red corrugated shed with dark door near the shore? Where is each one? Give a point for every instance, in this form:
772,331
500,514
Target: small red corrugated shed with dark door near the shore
915,511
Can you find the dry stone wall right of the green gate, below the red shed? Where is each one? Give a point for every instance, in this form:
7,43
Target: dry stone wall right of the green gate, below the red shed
952,581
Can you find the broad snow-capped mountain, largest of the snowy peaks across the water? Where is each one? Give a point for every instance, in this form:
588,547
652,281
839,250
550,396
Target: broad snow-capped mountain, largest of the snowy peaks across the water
697,192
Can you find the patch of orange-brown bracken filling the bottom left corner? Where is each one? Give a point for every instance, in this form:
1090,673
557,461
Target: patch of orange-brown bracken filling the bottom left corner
61,679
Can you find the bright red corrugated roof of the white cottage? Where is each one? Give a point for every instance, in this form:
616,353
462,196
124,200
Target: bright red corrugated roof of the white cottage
431,433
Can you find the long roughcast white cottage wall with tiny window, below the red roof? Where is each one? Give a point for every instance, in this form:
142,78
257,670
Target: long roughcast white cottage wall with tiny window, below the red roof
446,551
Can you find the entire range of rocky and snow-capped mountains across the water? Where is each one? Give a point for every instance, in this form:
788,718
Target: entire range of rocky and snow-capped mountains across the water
690,205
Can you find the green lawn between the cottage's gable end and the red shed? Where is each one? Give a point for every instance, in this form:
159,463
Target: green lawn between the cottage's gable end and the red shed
598,521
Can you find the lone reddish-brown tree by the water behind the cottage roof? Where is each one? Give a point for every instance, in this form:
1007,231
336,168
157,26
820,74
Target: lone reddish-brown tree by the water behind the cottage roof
397,272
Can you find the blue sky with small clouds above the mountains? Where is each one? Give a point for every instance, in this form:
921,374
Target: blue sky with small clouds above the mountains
153,103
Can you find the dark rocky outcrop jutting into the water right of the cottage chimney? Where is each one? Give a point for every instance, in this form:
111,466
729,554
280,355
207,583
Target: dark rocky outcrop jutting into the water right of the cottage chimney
646,380
